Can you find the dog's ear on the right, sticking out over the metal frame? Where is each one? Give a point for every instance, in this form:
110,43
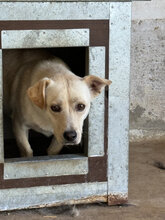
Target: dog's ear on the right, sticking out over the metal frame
96,84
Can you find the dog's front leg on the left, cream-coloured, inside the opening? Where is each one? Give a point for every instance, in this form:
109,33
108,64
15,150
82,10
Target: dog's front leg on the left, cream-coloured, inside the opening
21,134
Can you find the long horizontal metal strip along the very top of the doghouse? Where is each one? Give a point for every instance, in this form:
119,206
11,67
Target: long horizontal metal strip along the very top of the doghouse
54,10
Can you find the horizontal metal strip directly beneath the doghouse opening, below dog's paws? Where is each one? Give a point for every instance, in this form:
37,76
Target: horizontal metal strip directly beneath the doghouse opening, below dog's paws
60,165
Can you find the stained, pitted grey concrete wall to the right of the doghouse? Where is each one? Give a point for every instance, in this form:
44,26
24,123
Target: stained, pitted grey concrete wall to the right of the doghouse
147,99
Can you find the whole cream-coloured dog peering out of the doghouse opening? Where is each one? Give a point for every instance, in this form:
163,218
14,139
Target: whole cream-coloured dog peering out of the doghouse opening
41,93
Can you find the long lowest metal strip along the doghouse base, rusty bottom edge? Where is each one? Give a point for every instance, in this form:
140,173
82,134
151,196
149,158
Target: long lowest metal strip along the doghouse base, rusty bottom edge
50,195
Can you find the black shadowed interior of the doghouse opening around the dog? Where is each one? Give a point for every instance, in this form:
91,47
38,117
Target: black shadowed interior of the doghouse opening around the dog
76,59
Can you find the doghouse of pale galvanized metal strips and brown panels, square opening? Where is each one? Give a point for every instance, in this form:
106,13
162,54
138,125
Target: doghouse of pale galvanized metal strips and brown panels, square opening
100,31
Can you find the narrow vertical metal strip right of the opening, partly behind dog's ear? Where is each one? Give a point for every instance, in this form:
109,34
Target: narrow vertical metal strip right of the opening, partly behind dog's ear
96,116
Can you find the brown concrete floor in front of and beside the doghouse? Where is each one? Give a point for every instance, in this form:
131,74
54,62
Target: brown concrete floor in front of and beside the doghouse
146,193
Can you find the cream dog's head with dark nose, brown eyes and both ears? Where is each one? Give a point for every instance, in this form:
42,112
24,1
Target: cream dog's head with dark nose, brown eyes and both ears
66,101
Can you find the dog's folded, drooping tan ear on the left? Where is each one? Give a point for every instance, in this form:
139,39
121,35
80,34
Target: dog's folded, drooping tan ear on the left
36,93
